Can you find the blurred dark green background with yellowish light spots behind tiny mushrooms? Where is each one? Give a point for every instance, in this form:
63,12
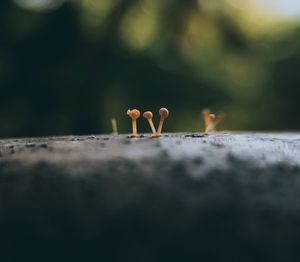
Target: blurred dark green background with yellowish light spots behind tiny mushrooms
68,67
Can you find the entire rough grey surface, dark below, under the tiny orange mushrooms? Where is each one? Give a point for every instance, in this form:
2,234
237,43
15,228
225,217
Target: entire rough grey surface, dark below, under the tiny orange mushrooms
182,197
